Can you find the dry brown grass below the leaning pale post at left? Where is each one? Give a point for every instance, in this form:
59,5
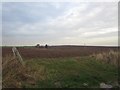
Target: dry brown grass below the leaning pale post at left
14,75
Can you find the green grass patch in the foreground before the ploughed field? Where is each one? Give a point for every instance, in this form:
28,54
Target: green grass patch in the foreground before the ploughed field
70,72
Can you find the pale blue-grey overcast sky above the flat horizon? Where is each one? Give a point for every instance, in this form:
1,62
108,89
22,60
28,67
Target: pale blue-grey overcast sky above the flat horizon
60,23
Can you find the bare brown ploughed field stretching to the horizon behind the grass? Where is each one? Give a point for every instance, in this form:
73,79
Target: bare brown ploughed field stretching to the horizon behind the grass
57,51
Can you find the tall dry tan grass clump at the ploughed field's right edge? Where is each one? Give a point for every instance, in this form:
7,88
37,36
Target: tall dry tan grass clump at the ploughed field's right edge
110,57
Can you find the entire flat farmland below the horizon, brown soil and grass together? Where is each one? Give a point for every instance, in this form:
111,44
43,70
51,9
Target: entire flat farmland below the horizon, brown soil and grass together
60,67
